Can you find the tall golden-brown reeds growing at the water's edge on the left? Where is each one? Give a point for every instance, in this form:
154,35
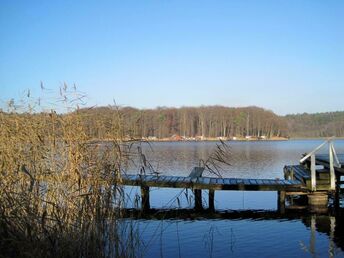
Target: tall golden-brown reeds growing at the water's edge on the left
58,189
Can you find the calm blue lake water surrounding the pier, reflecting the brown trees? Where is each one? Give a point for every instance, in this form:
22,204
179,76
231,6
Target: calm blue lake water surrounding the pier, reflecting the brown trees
245,232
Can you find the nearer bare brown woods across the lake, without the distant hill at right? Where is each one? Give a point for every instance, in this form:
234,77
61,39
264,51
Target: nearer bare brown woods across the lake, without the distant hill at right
188,122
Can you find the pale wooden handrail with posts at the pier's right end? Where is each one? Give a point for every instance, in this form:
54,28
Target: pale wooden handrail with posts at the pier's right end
333,162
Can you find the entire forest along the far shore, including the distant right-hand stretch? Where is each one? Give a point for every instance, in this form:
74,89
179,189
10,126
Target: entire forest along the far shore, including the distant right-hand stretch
209,122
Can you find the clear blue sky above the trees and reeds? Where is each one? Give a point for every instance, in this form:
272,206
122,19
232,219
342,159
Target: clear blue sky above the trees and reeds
285,56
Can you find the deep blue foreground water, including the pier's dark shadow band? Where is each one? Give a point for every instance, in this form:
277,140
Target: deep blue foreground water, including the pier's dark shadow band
234,233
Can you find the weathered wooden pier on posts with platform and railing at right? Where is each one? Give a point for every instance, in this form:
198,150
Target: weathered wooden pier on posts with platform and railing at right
305,179
